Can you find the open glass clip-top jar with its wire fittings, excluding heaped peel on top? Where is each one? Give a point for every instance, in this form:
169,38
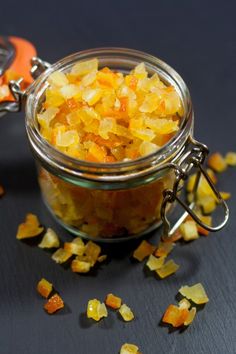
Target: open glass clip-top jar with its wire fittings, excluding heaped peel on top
122,200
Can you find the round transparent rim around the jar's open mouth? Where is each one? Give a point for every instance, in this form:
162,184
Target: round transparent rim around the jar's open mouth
65,164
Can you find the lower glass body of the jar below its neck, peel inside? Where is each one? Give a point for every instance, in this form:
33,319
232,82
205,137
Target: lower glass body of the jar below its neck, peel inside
104,214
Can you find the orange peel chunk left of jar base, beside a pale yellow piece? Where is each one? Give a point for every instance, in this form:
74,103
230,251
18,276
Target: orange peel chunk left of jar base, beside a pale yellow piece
30,228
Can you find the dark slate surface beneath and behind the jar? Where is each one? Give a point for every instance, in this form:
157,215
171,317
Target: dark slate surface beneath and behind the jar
198,39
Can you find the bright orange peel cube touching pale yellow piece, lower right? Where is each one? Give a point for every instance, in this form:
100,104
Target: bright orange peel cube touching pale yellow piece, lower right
175,315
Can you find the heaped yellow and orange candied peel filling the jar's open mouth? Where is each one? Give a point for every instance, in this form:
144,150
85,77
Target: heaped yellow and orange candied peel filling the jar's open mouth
106,116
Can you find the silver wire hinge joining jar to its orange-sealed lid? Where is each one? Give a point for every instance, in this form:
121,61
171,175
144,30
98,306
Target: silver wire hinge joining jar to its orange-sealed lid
38,67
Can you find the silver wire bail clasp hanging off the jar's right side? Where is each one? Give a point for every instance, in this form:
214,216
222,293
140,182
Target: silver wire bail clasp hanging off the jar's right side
194,158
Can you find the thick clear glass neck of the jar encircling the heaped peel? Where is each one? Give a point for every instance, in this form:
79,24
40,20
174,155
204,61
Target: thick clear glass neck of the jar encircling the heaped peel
115,175
